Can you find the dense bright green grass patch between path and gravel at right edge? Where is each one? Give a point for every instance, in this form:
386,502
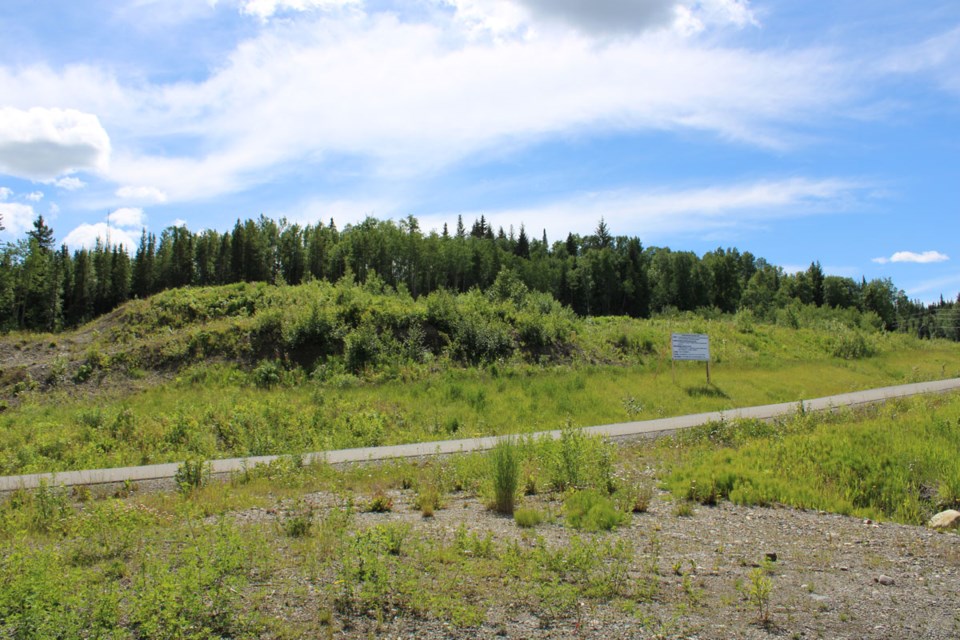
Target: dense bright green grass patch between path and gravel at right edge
892,462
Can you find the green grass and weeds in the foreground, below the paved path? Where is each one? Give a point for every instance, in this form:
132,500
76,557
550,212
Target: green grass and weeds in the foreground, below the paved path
179,564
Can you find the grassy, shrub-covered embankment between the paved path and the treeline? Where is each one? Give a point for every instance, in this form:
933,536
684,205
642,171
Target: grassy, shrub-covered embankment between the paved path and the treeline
252,370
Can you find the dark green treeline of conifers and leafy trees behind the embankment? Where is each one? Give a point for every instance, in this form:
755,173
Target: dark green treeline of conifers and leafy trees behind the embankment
45,288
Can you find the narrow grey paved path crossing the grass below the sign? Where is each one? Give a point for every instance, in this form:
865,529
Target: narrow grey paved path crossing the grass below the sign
646,428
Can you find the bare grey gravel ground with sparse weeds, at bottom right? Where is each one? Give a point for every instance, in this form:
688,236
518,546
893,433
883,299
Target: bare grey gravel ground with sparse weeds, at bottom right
833,576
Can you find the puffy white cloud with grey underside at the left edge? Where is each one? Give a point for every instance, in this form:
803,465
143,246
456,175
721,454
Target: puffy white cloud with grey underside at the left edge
41,143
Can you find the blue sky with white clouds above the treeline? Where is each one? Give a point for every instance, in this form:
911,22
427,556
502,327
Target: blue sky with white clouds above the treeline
798,130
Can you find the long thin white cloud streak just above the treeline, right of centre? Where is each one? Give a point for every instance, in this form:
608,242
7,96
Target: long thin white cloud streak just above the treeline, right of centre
658,214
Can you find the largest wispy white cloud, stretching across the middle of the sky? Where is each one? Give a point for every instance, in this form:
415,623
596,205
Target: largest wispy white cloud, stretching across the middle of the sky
411,98
